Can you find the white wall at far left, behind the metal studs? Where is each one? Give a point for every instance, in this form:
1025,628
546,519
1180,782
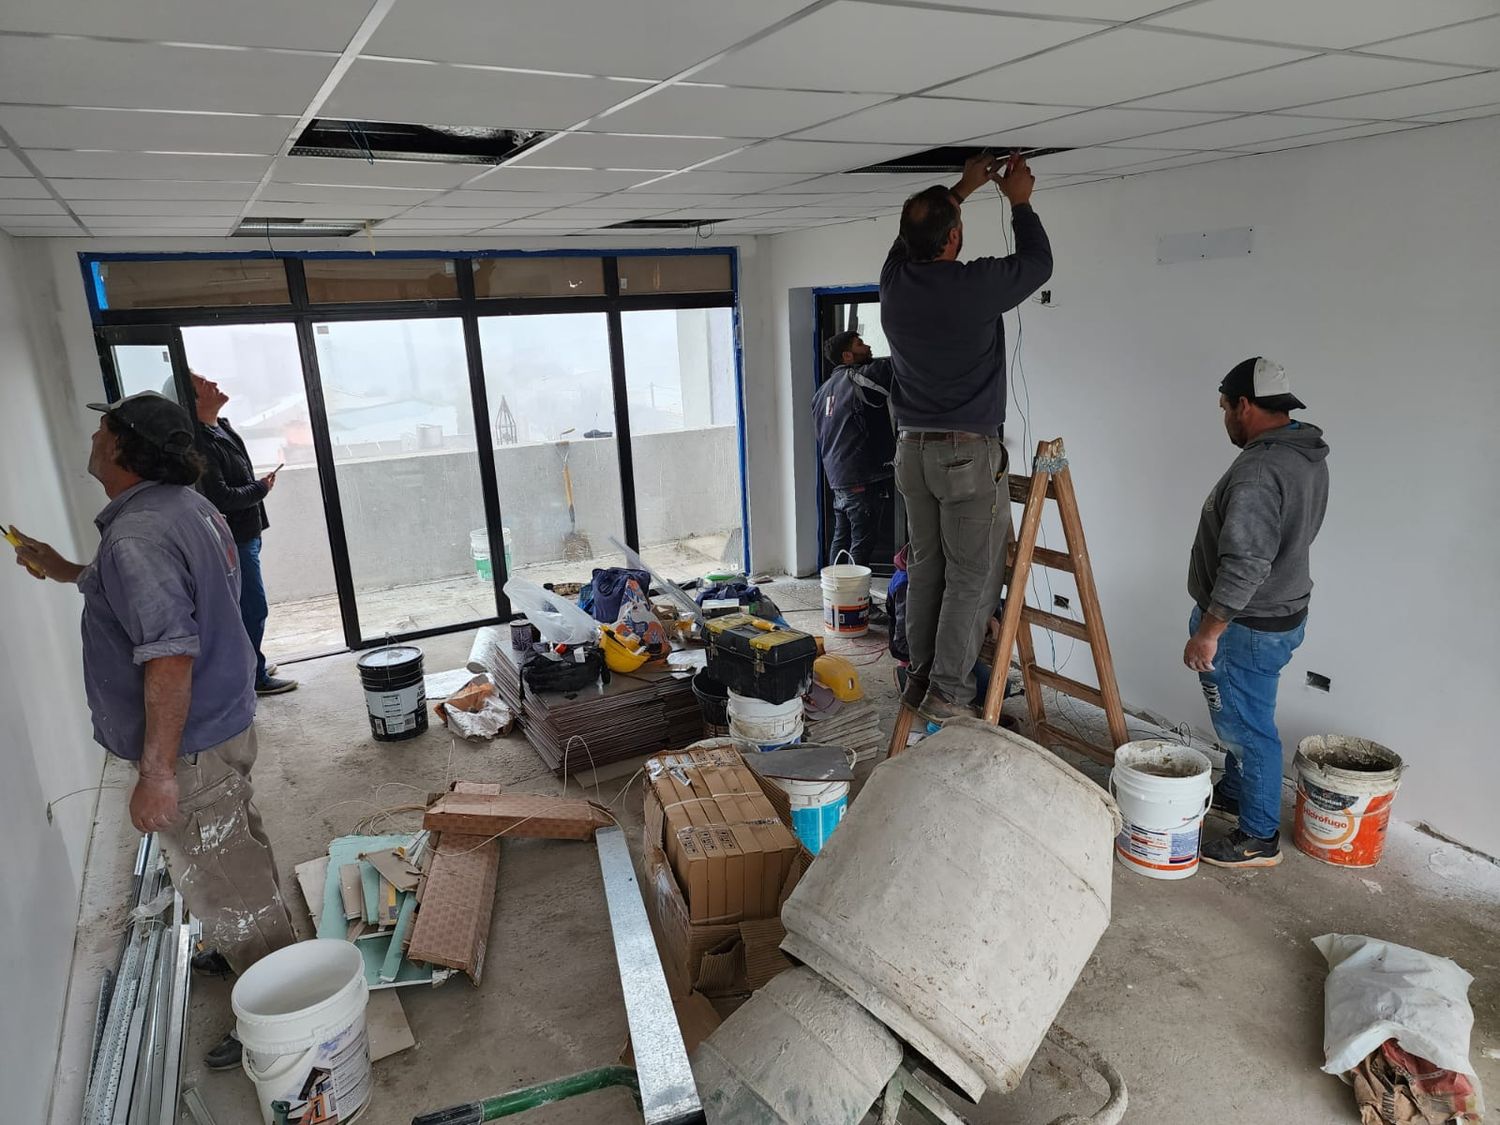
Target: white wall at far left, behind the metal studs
46,743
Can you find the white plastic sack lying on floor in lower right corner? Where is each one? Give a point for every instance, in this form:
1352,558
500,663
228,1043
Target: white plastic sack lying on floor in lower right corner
1378,991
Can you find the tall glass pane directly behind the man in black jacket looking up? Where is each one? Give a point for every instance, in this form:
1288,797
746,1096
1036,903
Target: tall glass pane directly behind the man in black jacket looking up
260,368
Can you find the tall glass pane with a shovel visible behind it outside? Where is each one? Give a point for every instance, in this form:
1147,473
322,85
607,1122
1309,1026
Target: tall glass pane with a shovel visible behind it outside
553,424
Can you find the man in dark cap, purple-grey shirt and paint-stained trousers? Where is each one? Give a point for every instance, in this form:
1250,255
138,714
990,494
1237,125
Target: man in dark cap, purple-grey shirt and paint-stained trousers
167,673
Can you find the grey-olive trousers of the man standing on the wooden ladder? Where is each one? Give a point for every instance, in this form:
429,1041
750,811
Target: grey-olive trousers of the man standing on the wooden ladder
958,520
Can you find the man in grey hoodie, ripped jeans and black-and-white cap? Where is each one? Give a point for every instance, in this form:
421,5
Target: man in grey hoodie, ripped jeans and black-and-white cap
1252,583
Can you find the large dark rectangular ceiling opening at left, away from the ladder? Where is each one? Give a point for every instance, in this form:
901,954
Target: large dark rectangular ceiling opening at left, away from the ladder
397,142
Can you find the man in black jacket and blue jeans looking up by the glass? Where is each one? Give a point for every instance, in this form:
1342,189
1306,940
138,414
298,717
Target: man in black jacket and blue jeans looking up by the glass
232,487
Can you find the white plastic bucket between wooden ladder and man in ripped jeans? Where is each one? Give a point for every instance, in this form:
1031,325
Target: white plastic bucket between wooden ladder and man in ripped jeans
1163,791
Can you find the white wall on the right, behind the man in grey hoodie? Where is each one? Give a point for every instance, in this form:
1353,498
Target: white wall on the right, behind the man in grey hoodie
1376,281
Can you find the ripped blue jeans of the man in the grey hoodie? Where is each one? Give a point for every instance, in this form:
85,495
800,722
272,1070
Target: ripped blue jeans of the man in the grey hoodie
1241,694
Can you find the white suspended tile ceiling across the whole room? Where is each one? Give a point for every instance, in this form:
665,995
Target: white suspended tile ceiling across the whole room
94,97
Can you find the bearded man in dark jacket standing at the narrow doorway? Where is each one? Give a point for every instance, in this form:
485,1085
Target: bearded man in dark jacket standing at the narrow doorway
851,413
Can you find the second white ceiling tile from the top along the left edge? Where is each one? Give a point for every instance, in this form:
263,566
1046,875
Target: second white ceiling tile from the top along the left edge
157,77
